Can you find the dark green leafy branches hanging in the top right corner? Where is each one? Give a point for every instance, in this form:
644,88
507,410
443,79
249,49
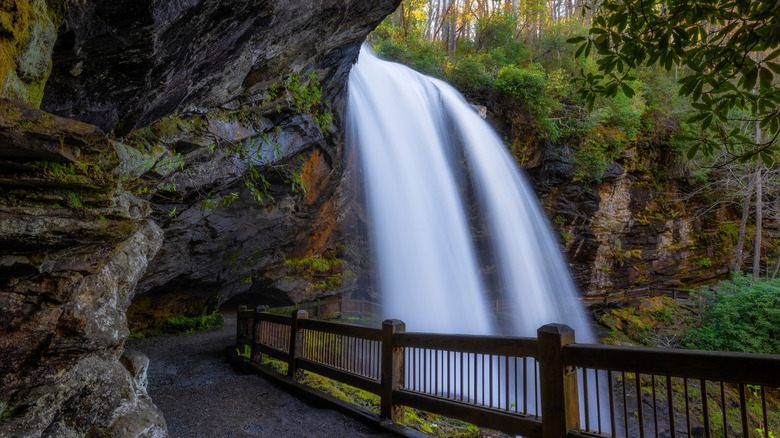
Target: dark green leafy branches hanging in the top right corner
716,45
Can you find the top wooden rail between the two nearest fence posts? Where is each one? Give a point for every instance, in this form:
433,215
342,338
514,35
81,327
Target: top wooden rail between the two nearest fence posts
497,345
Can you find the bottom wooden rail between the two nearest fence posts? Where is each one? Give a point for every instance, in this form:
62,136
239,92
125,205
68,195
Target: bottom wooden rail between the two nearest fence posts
507,422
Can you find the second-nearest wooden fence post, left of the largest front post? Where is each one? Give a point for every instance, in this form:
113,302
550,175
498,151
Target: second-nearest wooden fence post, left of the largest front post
392,371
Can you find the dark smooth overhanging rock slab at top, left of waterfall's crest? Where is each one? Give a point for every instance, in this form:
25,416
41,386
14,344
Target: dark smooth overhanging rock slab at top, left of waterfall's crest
123,64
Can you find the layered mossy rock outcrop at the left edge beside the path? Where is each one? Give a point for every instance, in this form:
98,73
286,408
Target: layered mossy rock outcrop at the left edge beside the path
74,246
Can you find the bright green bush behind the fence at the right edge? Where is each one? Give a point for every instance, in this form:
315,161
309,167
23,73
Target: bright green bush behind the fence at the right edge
742,315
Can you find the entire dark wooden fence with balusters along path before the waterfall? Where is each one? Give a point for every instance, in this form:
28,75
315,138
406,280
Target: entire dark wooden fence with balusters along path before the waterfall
548,386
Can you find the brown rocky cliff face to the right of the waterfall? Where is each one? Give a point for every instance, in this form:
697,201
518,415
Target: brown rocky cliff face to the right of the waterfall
639,227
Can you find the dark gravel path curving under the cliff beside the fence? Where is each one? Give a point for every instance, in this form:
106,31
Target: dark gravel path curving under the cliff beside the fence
201,395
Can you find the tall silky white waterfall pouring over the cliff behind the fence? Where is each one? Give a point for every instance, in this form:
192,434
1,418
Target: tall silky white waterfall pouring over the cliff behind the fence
438,179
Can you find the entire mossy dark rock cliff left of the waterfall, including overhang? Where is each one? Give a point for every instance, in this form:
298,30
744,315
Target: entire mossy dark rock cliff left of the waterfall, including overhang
215,101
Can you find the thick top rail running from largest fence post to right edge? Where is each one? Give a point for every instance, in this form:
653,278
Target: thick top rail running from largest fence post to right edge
753,369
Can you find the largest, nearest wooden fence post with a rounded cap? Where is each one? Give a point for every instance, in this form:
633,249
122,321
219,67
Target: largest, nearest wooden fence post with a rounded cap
558,383
